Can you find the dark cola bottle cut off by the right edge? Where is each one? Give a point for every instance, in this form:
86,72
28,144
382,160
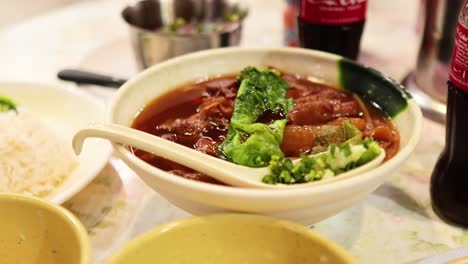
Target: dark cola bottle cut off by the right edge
449,182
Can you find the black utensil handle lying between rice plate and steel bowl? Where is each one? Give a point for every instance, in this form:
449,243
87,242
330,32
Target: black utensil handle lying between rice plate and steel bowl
84,77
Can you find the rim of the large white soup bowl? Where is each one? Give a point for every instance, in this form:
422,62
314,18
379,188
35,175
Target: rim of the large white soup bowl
388,166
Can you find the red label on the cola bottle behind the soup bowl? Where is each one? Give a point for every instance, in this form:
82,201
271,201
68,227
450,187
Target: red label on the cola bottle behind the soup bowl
333,12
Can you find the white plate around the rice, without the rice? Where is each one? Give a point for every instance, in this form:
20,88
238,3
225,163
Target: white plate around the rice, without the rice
68,110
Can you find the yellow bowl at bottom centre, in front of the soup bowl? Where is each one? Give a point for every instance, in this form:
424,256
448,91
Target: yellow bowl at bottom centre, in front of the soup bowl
231,238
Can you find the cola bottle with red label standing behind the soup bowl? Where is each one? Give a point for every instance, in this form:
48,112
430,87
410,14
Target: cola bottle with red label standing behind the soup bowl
332,25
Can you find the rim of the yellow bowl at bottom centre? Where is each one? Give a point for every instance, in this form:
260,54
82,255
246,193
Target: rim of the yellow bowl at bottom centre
299,229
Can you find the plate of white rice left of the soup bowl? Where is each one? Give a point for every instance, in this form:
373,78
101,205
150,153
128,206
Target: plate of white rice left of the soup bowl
36,155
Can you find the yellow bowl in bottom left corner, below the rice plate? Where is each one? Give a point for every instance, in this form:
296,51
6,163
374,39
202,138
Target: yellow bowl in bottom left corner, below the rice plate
35,231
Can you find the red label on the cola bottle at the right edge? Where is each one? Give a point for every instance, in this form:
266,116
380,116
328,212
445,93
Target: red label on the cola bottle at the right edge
459,66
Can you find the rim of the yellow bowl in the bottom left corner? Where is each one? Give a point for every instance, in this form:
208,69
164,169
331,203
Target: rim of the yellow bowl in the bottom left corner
72,221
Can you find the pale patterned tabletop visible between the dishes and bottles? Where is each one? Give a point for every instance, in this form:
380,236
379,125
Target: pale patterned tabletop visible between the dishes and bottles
394,224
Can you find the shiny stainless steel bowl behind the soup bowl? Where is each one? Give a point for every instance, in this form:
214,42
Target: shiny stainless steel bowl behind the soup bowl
152,44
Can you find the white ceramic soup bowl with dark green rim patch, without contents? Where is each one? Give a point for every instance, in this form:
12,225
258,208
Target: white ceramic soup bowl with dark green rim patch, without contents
308,205
